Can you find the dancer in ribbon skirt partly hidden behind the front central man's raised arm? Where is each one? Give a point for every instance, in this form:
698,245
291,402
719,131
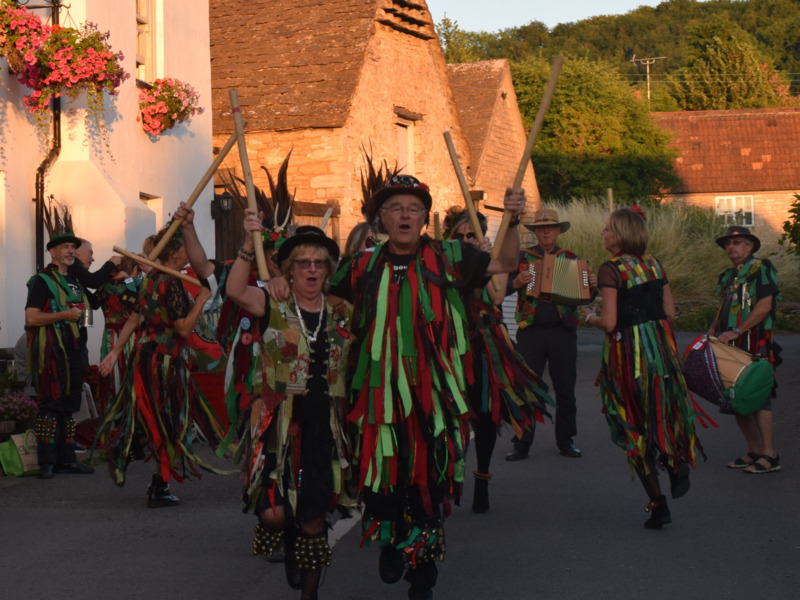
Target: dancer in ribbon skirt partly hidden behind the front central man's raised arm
504,388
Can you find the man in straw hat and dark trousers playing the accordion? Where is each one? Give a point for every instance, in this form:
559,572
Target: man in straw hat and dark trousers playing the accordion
548,334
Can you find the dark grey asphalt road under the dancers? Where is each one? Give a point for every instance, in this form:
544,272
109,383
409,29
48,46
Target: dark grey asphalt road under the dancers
557,528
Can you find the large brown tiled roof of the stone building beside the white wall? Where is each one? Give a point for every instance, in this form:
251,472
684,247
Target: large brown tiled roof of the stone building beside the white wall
296,63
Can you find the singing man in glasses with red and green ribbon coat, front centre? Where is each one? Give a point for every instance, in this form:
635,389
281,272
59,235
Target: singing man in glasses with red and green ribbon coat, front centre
409,379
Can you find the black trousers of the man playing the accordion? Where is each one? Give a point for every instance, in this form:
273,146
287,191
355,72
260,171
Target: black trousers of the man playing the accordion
557,347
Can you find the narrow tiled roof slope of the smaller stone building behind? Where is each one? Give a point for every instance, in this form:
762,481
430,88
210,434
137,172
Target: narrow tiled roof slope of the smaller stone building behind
475,89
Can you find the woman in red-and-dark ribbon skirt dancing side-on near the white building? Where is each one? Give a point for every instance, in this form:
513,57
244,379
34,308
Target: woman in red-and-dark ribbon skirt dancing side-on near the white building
161,401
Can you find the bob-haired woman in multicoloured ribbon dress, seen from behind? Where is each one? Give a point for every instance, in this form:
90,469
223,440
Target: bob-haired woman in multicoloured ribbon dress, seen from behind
644,394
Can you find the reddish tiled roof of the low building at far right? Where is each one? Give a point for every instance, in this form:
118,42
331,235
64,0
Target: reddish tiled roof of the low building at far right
736,150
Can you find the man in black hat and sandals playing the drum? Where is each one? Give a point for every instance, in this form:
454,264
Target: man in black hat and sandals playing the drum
748,292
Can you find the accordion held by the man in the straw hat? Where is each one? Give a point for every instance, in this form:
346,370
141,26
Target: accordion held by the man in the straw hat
559,279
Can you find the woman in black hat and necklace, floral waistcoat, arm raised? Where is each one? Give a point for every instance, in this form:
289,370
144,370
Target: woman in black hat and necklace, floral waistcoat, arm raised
296,449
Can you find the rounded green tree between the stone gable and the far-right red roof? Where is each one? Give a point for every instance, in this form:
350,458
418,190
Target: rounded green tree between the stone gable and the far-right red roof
596,135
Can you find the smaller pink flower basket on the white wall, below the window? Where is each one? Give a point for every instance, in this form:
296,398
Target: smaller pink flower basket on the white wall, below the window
168,103
